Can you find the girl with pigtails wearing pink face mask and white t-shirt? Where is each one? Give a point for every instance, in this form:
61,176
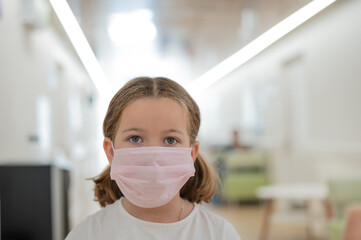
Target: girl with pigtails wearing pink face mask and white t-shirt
156,177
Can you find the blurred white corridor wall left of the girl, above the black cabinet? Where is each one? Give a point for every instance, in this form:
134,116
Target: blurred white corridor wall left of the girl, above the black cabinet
45,94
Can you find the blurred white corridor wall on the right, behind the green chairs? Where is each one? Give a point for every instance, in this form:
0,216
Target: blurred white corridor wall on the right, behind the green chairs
307,87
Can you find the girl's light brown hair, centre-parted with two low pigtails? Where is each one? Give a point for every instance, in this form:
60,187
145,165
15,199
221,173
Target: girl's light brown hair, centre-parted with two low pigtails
199,188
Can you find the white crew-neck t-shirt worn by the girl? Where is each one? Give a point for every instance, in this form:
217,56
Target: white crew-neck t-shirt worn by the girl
114,222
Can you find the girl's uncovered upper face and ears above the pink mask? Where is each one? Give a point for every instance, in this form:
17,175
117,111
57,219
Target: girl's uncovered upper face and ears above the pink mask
153,122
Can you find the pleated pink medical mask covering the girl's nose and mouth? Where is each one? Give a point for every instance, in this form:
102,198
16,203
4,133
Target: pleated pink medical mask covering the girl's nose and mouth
150,177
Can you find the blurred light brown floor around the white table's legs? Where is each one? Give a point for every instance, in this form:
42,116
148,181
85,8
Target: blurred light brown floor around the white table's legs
247,221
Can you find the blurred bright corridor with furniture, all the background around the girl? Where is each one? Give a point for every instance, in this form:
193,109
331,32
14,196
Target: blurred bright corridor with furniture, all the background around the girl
281,128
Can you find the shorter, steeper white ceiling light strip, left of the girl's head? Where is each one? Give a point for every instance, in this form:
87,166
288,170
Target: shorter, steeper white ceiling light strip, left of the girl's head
81,45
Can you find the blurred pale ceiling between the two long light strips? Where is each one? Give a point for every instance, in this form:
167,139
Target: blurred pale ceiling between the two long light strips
192,35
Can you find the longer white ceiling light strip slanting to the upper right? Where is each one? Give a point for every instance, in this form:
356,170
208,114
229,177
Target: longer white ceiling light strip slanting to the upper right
258,45
